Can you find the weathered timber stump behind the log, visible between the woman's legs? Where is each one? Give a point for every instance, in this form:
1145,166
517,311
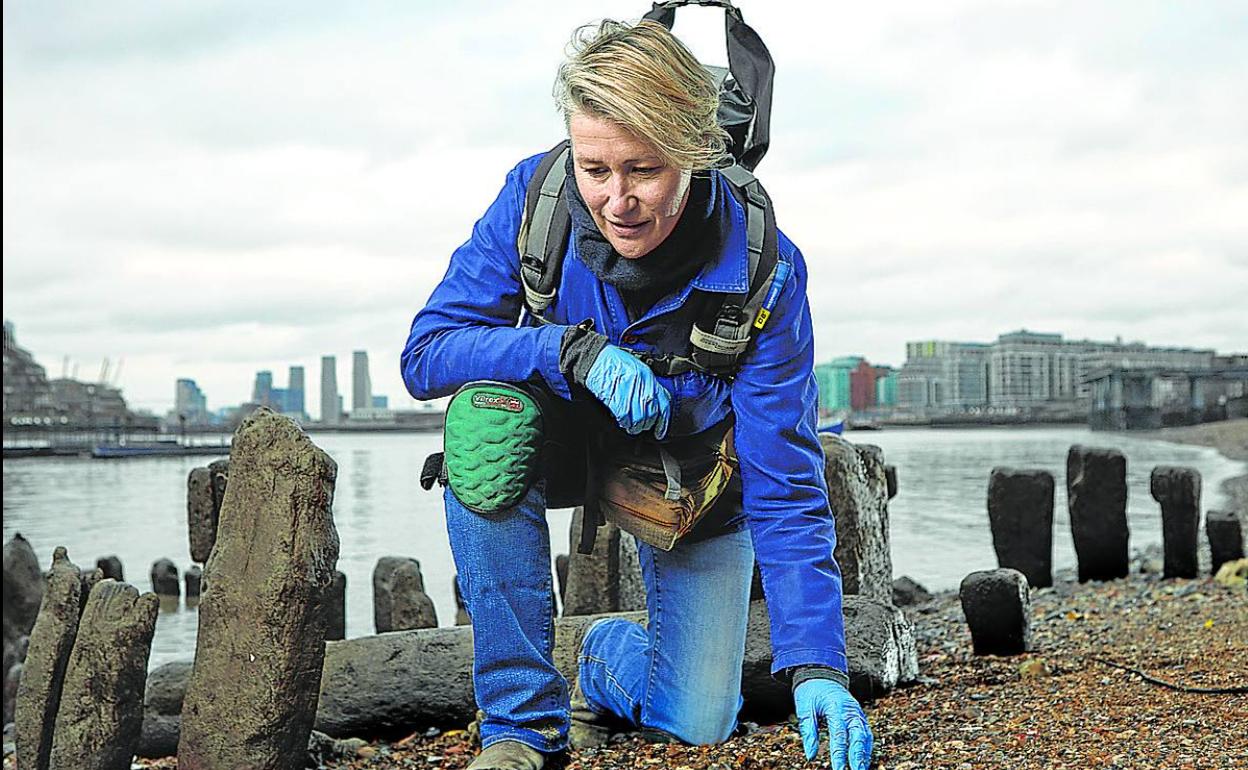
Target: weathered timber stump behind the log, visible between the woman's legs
608,580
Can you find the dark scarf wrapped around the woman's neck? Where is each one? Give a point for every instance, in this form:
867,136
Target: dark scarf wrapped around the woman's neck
696,240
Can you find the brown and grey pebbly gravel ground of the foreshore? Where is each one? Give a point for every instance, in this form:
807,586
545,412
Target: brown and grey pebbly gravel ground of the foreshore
1060,707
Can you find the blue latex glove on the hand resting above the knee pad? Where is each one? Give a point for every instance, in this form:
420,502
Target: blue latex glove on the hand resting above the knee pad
631,391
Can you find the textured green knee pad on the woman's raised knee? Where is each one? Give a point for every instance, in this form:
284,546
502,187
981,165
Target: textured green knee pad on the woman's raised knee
494,445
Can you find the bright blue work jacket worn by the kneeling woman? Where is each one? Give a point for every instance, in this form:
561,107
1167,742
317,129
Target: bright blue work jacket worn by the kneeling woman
472,329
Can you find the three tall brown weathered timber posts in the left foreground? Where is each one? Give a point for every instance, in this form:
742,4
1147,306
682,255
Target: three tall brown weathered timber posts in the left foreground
253,692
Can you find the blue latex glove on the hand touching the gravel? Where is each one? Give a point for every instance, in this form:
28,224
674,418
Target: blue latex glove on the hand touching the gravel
848,733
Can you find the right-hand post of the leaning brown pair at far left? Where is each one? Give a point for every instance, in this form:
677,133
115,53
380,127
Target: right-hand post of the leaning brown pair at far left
102,711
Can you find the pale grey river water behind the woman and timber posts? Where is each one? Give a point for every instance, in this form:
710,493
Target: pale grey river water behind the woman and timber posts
137,509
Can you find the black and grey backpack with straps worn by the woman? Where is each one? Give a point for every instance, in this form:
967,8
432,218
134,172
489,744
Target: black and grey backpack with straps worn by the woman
722,335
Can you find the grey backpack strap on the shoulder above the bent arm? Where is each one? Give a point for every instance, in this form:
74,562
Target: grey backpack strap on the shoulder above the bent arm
545,230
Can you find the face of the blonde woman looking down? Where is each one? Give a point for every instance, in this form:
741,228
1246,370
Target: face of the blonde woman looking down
633,195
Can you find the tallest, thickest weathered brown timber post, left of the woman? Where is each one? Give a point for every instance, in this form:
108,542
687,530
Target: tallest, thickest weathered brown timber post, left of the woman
261,645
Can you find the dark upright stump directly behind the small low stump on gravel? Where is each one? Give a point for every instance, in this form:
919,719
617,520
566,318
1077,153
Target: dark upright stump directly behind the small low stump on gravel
1021,519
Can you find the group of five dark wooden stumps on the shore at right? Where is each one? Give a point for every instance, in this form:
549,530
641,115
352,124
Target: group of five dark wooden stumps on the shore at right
997,602
